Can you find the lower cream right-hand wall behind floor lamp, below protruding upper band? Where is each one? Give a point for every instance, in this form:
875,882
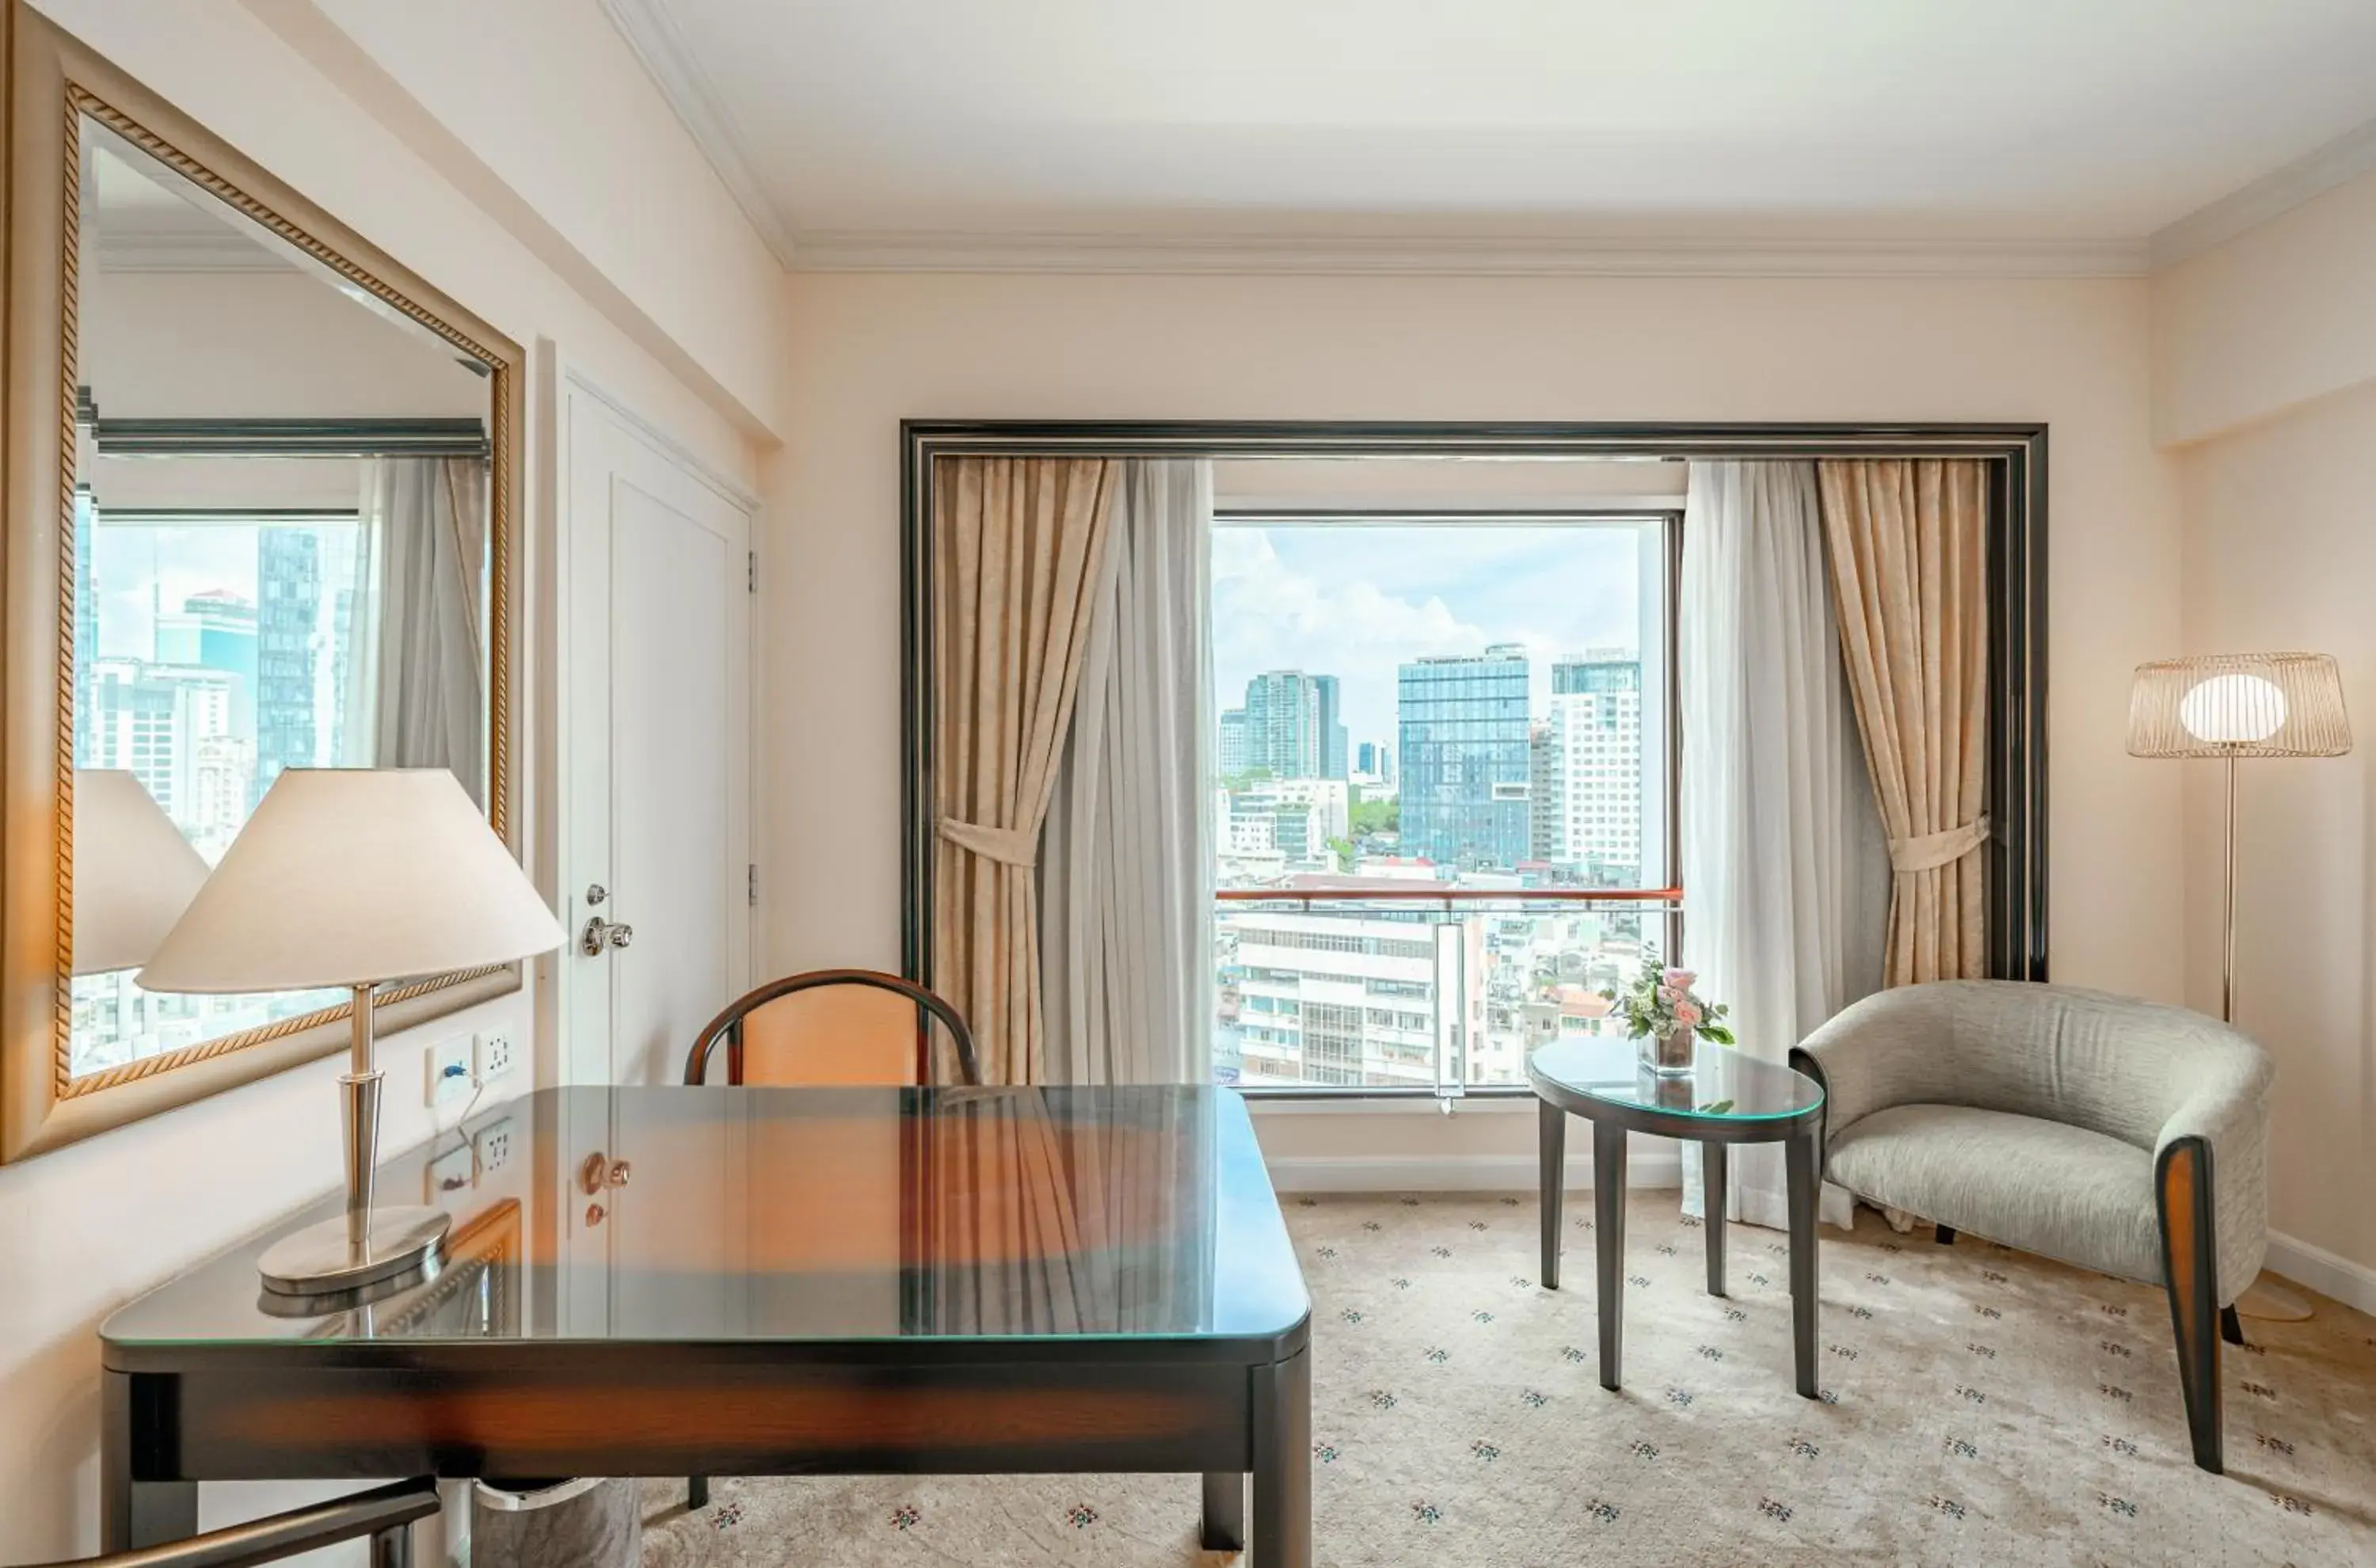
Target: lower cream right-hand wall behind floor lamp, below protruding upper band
2282,555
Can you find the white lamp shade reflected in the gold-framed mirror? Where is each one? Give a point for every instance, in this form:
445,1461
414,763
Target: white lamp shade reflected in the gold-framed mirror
134,873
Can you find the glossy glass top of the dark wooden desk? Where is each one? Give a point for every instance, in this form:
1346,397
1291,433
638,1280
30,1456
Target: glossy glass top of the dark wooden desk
804,1215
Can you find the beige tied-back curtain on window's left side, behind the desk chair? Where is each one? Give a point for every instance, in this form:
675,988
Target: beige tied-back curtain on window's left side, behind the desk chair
1018,545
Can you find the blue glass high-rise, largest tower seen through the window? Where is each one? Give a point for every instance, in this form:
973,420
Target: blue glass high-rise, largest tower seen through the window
1465,757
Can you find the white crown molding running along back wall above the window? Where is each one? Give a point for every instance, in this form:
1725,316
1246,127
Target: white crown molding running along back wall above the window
1460,255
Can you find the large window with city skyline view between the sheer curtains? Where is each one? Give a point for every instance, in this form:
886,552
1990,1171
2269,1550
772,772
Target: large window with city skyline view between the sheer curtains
1446,792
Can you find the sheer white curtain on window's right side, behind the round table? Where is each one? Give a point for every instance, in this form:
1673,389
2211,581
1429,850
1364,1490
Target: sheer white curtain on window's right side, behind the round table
1786,868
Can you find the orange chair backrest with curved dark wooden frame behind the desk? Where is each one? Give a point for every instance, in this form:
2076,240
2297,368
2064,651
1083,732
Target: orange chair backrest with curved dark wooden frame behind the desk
835,1028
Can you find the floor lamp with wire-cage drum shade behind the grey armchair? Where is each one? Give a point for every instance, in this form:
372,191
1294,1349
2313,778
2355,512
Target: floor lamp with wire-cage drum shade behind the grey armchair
2237,707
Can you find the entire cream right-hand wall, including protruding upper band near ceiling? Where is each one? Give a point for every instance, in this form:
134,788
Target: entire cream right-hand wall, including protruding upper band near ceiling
2266,369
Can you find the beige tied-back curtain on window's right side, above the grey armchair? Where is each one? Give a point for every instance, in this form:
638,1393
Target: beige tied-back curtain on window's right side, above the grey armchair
1909,550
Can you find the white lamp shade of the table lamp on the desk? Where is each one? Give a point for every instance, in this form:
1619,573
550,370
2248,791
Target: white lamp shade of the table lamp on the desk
350,878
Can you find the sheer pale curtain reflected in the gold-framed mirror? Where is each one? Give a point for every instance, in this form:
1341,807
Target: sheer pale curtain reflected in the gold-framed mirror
417,650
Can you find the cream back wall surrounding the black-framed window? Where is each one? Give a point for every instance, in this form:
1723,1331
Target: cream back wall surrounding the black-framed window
868,350
